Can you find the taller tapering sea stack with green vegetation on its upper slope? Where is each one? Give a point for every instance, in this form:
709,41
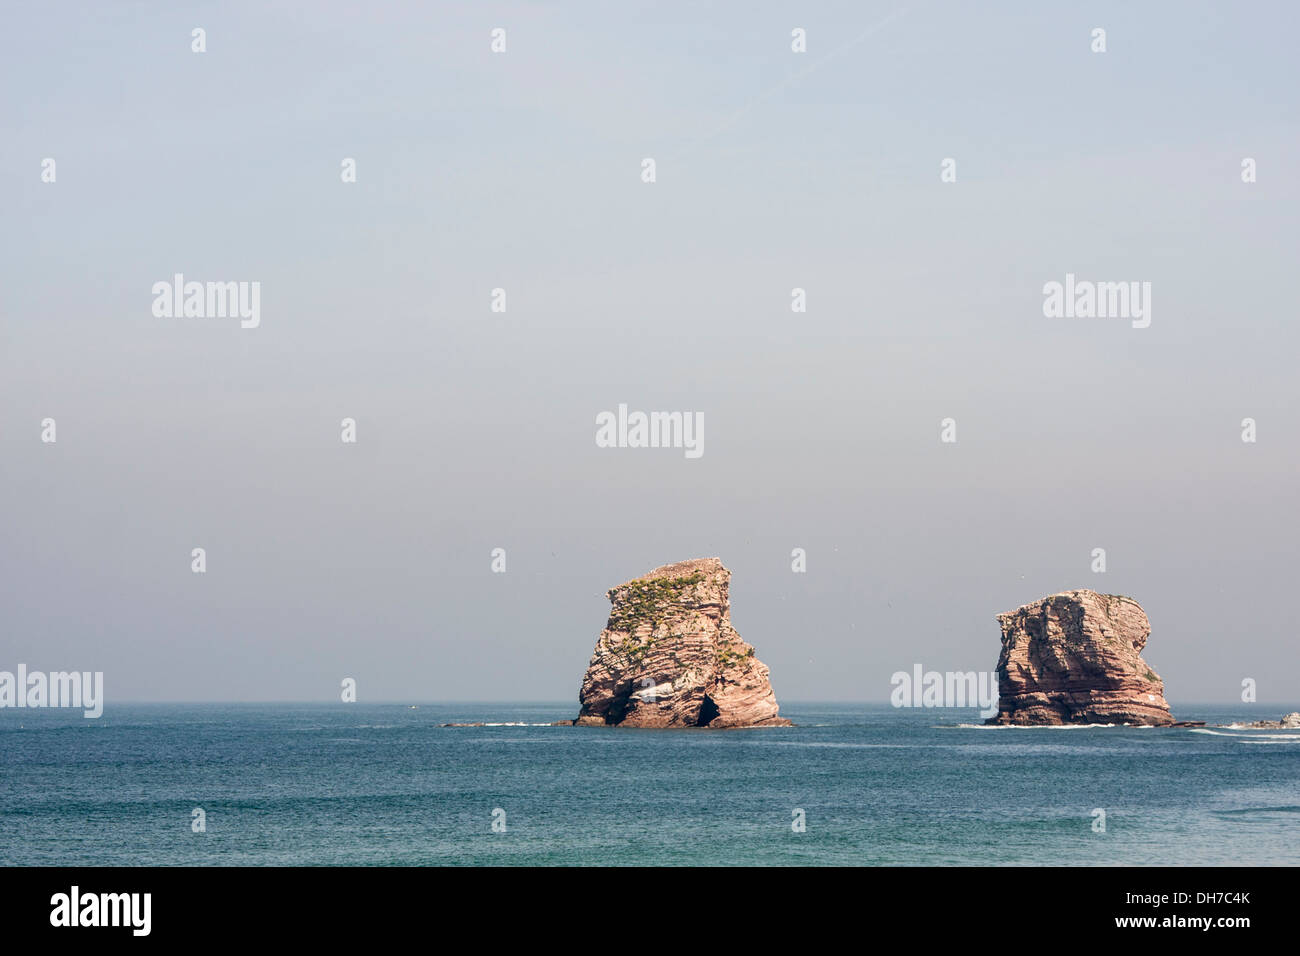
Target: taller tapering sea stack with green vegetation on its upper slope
670,657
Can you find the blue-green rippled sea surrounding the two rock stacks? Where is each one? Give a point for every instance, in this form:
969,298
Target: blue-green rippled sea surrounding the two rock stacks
380,785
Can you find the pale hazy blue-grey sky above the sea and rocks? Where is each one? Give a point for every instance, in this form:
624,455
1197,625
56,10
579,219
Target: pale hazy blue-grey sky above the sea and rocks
476,429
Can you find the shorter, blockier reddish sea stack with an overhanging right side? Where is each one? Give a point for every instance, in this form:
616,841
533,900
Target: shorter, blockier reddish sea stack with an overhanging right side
1077,659
